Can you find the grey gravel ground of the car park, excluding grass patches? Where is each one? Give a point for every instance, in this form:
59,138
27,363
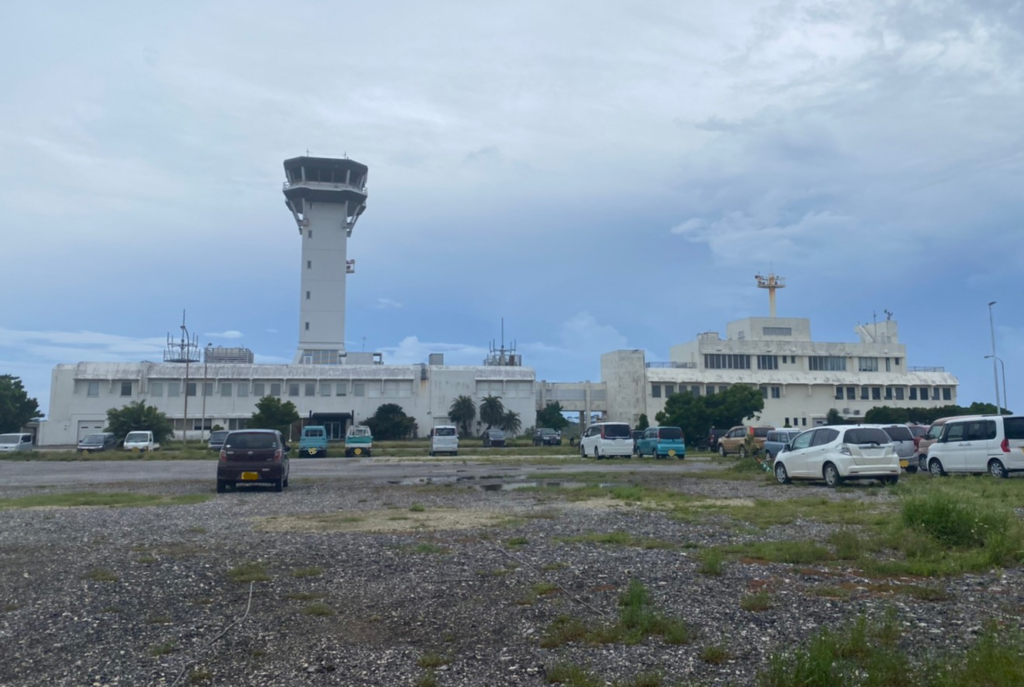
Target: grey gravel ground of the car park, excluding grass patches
142,596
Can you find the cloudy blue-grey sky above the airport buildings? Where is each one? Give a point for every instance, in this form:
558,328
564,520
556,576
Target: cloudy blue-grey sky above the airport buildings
600,176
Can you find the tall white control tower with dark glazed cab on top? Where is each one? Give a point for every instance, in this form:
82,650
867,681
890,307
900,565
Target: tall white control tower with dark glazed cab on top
326,197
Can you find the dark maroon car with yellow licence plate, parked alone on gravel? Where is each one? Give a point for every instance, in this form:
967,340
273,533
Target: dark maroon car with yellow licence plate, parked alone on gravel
253,457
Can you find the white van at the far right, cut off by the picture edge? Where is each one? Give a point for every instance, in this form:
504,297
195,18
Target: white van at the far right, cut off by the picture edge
990,444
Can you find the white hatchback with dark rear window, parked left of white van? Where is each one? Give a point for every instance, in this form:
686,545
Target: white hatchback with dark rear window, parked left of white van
837,453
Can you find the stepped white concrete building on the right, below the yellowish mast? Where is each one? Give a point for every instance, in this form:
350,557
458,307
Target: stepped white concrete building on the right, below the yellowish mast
800,379
